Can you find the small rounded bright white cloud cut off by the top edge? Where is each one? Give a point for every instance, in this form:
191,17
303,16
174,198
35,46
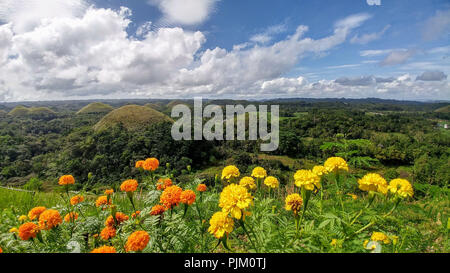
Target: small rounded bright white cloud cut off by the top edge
185,12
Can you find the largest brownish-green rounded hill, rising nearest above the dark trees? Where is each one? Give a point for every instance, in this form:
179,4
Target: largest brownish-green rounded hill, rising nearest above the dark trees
132,117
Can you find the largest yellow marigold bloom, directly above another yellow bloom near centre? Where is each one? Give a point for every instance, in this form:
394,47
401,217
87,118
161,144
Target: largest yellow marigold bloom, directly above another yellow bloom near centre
234,199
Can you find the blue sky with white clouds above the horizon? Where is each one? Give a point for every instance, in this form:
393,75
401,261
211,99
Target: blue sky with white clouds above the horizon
236,49
